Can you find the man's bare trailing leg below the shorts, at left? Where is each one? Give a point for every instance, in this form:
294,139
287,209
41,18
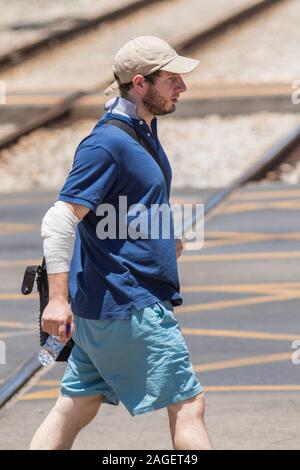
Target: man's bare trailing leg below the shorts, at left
65,420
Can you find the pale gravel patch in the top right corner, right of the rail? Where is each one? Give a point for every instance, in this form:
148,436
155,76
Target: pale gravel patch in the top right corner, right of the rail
263,51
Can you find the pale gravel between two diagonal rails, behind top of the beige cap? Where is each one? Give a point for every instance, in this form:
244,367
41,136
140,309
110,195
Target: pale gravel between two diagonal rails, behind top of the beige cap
86,61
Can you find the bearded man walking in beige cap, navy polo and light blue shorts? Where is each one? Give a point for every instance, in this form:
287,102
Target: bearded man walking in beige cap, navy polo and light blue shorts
128,345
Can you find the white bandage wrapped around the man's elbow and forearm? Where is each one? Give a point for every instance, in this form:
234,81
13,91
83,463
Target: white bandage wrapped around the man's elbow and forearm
58,231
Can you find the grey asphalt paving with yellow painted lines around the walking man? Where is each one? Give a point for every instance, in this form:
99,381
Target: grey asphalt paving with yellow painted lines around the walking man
240,318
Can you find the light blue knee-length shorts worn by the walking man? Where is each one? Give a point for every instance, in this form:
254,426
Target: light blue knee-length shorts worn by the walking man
142,362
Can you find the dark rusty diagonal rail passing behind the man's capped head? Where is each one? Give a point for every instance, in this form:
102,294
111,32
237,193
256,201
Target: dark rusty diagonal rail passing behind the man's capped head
184,46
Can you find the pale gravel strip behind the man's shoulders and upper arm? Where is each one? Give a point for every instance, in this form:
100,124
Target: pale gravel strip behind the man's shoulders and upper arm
204,153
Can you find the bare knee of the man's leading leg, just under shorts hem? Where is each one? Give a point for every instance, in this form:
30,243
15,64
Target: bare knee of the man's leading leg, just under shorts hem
188,409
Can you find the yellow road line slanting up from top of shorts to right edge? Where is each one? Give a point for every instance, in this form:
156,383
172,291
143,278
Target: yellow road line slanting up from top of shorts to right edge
222,304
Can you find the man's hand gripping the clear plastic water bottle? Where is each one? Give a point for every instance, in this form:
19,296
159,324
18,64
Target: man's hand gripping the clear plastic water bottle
56,316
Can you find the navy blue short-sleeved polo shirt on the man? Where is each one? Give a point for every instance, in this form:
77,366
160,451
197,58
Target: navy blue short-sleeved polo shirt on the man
110,276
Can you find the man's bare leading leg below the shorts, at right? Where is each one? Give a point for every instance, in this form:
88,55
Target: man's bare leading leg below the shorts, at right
187,425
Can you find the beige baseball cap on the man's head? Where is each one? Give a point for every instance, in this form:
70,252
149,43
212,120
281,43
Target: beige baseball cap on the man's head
145,55
